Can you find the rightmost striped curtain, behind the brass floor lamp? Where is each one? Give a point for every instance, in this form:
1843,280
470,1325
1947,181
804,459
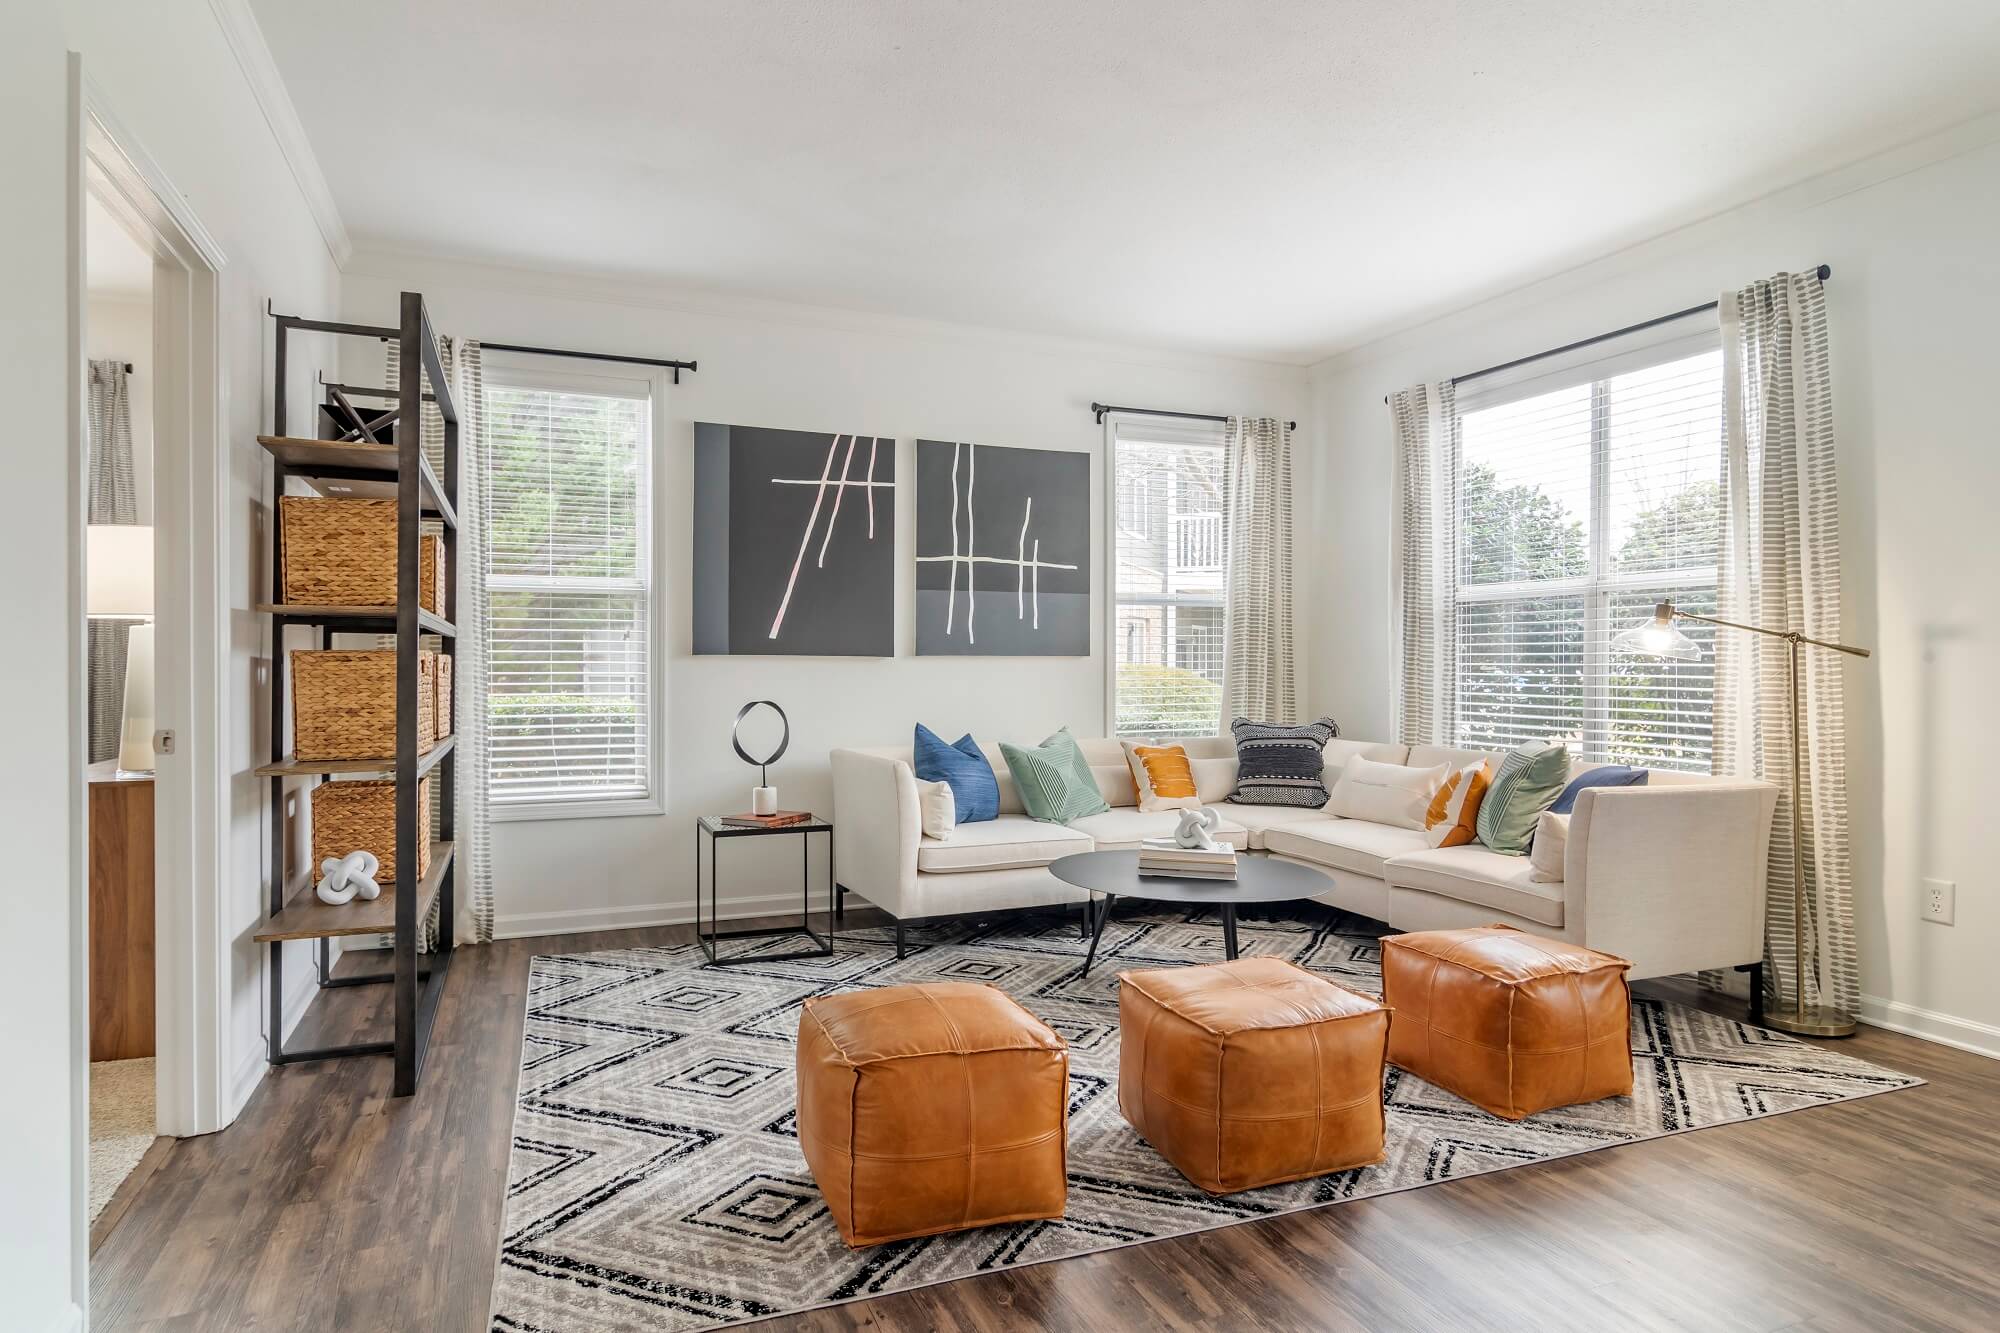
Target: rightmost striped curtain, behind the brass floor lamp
1781,569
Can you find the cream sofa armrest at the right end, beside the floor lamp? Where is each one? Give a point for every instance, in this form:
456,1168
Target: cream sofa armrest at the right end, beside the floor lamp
1671,878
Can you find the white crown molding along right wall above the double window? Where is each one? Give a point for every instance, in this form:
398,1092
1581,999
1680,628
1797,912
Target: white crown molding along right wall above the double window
1795,199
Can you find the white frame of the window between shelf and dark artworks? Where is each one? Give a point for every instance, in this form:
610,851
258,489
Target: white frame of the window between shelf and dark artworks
529,371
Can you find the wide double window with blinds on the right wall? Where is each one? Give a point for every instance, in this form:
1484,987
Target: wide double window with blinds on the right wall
1585,497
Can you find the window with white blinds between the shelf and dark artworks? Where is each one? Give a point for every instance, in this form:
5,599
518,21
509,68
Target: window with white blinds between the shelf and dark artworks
571,593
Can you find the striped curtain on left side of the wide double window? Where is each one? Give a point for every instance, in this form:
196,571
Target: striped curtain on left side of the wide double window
1425,563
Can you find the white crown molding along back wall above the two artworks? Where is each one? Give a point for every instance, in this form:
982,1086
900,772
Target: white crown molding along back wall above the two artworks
421,271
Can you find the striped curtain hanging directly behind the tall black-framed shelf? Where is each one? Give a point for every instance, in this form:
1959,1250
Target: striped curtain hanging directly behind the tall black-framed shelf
473,868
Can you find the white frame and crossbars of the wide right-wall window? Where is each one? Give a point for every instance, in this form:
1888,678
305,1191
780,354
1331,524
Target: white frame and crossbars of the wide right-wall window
1601,585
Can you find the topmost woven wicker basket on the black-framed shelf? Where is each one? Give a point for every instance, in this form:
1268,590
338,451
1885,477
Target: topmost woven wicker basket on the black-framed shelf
343,553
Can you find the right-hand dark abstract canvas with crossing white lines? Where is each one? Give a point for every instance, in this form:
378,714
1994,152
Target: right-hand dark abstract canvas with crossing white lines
1003,551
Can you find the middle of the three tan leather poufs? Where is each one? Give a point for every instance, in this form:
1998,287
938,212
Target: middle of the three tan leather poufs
1253,1072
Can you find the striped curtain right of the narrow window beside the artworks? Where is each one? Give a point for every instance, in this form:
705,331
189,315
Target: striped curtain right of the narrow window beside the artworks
1259,678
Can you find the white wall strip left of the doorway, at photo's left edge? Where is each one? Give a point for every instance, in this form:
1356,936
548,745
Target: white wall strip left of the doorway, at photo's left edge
41,1260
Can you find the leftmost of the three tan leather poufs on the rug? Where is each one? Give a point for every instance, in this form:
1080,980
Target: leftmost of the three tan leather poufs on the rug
931,1108
